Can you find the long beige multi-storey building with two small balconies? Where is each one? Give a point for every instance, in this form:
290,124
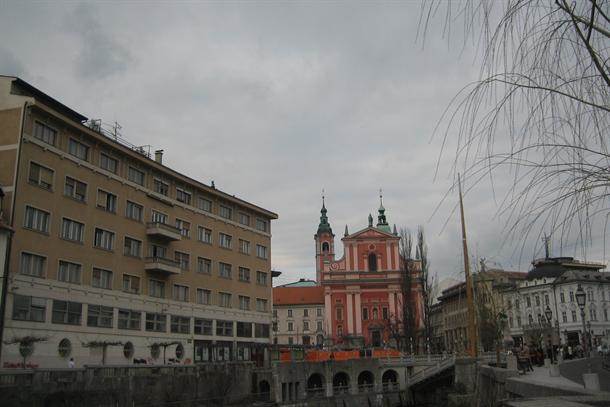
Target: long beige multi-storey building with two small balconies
116,256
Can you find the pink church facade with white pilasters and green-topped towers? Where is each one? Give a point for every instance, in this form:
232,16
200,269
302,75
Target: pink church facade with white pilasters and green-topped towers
363,297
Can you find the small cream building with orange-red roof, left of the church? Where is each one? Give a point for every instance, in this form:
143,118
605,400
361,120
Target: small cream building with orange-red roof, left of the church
298,314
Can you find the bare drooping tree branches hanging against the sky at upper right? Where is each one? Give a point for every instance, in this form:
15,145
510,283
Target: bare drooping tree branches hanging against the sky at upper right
539,112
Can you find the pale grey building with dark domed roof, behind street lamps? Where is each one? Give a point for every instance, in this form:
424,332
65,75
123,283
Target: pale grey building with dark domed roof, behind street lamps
553,283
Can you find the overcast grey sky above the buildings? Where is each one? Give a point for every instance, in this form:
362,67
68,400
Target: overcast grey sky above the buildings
274,102
